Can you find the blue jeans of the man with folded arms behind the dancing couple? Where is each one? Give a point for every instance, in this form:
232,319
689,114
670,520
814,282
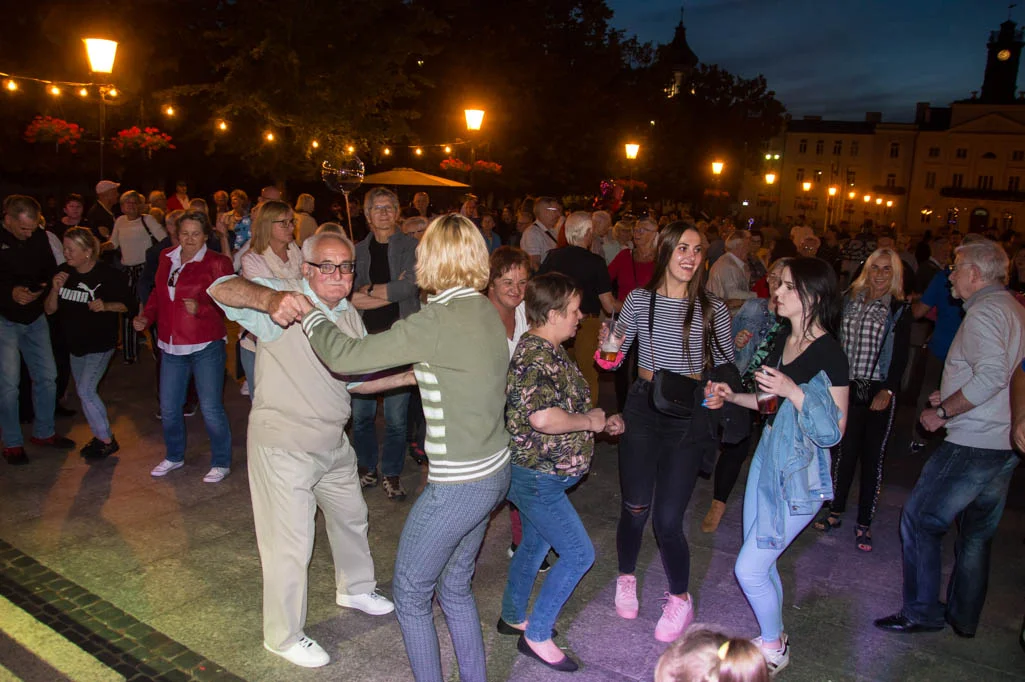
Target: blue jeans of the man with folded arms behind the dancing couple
365,433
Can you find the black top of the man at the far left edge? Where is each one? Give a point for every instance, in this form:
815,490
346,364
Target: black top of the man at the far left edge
26,263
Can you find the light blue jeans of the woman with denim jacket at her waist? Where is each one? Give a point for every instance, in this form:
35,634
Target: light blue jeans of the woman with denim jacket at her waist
756,570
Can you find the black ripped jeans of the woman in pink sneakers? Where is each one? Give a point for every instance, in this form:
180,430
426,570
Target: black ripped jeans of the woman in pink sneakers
658,472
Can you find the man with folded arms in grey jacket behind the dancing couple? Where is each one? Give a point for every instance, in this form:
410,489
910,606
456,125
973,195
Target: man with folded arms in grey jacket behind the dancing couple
385,293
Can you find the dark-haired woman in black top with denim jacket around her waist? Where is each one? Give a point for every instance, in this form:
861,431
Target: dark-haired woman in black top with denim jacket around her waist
790,475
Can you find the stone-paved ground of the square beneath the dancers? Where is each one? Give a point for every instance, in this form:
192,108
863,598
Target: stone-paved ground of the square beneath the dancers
160,579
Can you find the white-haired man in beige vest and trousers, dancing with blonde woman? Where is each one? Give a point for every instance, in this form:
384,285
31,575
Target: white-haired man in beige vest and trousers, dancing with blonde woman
300,458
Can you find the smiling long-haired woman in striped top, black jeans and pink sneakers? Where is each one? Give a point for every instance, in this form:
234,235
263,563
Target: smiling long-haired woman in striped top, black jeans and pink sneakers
681,329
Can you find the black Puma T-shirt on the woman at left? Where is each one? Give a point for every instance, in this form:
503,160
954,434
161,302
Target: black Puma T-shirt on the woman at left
85,331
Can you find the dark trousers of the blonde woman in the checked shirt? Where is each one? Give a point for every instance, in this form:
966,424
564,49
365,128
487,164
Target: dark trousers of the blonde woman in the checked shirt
866,440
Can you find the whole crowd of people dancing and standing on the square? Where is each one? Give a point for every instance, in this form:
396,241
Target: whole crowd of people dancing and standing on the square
721,341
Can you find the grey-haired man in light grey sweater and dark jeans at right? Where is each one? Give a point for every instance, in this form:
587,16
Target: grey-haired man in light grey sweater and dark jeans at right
967,478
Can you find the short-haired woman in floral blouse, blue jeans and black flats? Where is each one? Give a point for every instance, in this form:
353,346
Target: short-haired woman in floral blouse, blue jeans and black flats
549,414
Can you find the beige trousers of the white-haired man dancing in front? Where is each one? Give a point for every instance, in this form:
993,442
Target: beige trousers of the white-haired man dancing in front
288,488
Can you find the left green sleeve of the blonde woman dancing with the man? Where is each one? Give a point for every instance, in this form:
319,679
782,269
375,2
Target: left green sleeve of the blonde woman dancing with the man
409,341
